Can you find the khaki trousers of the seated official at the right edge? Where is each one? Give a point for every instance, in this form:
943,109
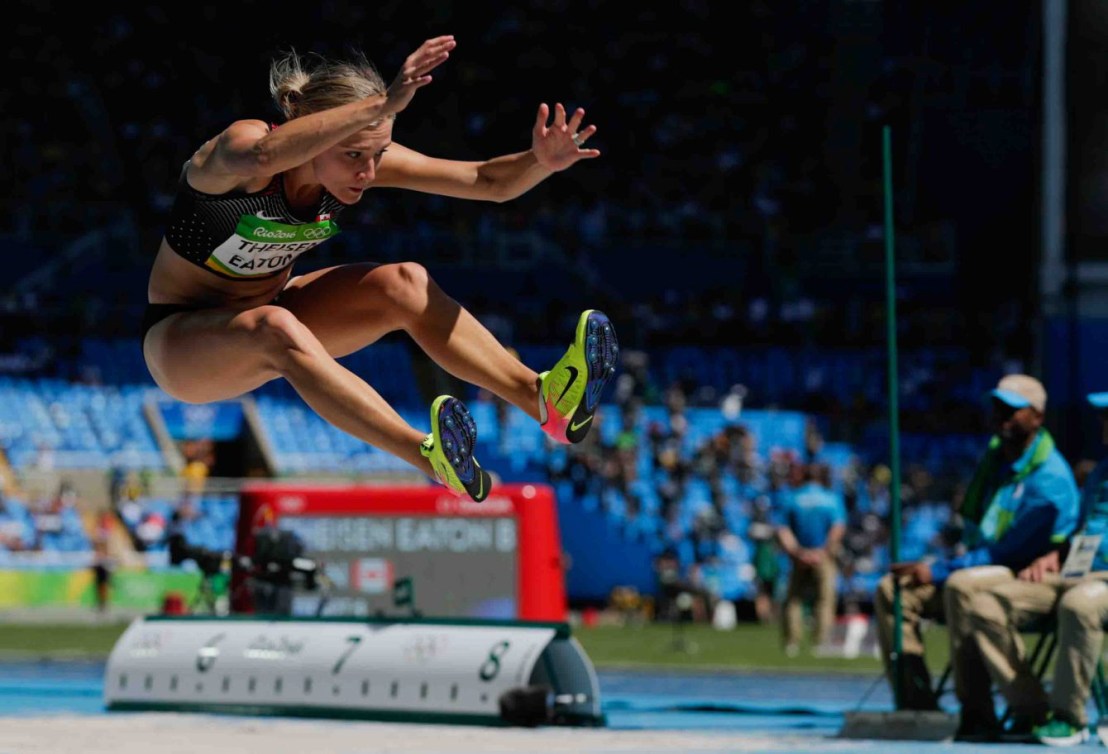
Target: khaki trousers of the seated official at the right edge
1001,614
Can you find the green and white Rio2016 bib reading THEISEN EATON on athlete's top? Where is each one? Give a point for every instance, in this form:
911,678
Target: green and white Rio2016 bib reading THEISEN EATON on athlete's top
262,246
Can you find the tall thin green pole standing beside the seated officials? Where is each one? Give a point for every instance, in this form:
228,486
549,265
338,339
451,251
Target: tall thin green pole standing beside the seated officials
894,410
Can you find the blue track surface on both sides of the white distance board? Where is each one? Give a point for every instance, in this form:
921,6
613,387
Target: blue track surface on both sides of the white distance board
761,704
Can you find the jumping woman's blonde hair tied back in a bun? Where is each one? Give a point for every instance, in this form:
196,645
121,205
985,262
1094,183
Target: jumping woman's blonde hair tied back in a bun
305,85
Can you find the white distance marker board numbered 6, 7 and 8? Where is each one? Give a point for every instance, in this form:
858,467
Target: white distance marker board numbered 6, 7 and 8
424,670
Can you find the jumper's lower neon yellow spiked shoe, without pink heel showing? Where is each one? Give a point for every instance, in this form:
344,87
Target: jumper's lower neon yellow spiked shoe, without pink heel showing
450,449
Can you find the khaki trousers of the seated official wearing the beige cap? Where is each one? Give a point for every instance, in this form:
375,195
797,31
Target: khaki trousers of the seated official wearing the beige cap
951,604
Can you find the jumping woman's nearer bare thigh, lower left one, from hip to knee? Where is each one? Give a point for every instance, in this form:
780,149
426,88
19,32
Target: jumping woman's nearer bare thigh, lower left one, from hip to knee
207,356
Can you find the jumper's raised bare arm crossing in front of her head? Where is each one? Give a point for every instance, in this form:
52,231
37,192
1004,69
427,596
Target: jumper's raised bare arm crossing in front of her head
249,150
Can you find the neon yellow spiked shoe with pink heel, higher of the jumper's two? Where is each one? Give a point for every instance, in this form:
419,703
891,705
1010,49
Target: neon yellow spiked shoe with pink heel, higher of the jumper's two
570,393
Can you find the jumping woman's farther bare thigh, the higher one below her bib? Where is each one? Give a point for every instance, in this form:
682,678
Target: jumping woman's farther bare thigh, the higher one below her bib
342,306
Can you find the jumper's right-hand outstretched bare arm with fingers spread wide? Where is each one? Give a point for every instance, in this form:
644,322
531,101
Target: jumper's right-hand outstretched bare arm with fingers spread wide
555,148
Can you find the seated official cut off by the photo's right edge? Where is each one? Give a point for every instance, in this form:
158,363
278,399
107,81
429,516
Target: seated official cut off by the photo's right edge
1025,603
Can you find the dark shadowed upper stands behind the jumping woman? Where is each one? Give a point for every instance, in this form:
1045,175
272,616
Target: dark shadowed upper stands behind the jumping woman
738,200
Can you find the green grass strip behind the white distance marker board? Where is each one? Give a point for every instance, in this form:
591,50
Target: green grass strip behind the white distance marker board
748,647
